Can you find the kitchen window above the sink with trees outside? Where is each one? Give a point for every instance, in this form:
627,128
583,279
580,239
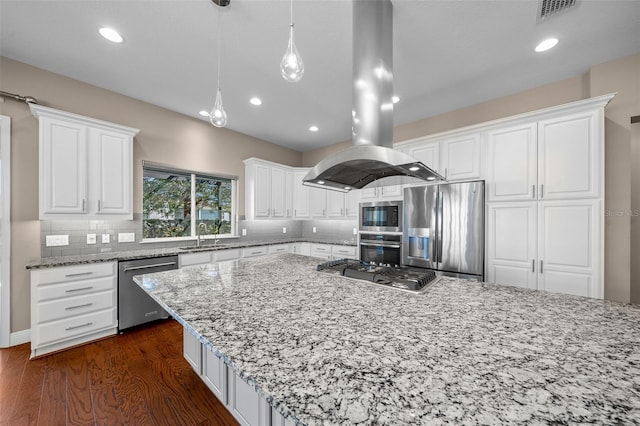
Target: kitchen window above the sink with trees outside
179,204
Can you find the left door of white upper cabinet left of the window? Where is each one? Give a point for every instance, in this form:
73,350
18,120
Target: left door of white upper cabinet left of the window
63,167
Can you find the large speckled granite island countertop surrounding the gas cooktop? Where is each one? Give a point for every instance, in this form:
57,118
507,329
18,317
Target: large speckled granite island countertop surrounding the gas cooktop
324,349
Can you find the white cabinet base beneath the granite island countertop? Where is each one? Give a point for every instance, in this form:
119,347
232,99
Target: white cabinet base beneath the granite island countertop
242,401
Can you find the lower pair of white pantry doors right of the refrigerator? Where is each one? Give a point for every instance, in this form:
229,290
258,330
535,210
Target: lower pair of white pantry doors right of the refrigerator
552,245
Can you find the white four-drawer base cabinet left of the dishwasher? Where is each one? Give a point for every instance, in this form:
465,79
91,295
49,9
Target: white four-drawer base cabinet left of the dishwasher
71,305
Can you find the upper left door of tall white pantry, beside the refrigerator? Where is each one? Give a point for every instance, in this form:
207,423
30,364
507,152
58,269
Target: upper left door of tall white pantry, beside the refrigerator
512,163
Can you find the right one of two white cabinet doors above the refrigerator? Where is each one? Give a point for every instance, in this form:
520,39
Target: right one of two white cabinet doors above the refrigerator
460,158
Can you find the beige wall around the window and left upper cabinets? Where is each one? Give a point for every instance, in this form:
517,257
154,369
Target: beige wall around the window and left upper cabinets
165,137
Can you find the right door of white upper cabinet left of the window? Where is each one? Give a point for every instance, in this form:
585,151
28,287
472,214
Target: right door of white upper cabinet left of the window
112,157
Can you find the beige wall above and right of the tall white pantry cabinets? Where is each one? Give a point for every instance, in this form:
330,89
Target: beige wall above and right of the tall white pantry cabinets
621,76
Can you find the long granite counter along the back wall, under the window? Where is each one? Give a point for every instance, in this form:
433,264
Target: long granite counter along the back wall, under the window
47,262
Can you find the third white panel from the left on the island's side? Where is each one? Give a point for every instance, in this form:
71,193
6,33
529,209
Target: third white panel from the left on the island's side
245,404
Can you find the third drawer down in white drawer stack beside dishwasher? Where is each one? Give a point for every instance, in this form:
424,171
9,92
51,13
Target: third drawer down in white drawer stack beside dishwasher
73,306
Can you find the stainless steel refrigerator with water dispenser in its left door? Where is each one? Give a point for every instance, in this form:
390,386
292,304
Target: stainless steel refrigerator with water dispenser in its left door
443,228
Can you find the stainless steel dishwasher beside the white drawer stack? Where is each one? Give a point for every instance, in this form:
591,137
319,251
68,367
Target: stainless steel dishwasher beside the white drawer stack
135,306
